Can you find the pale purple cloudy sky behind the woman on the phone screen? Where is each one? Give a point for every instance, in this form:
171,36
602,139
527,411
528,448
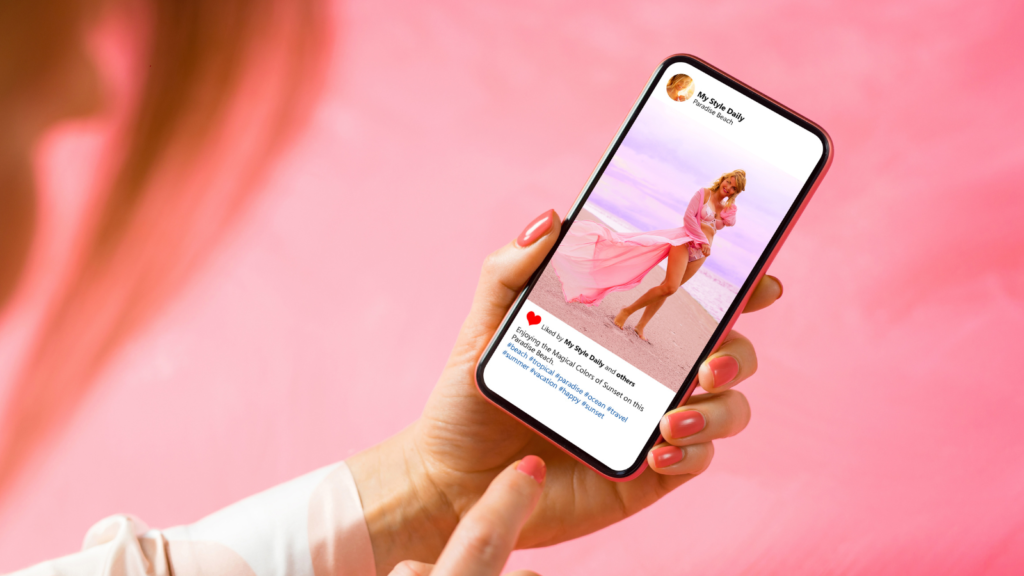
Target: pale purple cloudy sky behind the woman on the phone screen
666,158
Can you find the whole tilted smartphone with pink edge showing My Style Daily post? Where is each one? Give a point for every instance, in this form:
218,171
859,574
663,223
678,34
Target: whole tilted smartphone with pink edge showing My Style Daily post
655,263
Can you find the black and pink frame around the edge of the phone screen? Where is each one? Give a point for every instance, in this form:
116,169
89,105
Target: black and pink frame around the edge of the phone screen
731,316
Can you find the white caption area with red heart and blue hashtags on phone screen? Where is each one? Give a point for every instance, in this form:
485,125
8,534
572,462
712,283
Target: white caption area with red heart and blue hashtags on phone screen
577,388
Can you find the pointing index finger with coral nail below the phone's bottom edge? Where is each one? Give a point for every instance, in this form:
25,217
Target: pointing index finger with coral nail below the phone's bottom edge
482,544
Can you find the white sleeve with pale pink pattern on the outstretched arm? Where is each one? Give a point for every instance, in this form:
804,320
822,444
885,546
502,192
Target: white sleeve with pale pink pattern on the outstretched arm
312,526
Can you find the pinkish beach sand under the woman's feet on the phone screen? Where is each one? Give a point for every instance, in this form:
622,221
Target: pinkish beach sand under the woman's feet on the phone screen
677,334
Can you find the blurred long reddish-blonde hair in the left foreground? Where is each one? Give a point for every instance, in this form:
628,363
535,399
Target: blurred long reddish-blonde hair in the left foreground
223,88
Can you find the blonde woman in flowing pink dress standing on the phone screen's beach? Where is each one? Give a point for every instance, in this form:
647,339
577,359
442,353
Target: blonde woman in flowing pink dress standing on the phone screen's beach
594,261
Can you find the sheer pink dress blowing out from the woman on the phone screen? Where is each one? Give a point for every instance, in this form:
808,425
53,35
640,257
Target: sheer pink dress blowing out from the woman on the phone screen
594,261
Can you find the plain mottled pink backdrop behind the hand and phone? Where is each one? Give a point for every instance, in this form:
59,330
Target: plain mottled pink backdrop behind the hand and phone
887,422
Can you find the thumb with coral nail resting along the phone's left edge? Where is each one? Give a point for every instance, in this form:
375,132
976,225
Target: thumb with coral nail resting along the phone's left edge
505,274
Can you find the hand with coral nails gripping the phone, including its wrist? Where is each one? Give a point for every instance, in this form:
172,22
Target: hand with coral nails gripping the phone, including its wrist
416,486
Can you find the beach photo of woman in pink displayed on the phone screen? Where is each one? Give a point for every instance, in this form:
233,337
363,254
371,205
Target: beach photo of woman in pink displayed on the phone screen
670,232
